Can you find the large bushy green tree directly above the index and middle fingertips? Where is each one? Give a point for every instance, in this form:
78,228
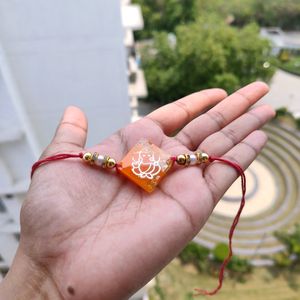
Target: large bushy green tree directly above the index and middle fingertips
207,53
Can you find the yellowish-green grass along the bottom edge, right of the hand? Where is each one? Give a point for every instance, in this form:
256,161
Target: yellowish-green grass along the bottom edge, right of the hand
176,282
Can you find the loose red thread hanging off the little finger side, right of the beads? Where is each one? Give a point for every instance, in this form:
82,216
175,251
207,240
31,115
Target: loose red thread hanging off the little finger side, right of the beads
239,169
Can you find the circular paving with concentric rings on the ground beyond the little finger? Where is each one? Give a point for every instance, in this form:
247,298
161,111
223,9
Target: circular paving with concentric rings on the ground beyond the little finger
273,199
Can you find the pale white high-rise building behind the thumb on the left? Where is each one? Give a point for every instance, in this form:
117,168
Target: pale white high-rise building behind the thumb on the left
54,54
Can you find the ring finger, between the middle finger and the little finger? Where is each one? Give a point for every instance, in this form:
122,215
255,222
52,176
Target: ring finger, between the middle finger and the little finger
223,140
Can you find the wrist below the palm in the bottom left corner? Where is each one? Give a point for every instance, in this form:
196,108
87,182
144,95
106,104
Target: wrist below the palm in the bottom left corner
27,280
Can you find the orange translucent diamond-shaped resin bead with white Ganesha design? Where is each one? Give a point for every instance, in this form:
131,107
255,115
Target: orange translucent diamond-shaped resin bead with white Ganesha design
146,165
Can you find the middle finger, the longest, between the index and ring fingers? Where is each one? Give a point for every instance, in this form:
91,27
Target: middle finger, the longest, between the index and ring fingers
221,115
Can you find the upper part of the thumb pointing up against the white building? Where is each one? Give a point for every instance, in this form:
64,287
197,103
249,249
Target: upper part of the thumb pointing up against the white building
72,130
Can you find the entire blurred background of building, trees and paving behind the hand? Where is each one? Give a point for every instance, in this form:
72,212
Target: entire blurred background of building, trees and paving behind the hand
120,59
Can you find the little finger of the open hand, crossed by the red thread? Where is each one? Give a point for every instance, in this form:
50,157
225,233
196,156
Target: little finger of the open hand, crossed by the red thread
220,177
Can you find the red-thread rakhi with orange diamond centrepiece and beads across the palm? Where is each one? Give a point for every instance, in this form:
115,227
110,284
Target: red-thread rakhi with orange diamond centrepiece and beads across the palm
146,165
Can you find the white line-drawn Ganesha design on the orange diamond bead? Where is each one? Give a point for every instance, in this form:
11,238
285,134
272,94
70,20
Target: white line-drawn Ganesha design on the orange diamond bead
146,165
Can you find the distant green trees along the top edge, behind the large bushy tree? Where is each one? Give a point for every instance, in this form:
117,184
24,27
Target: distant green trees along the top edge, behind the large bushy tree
167,14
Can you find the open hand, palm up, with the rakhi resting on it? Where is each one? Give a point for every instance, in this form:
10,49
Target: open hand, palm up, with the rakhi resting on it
92,234
